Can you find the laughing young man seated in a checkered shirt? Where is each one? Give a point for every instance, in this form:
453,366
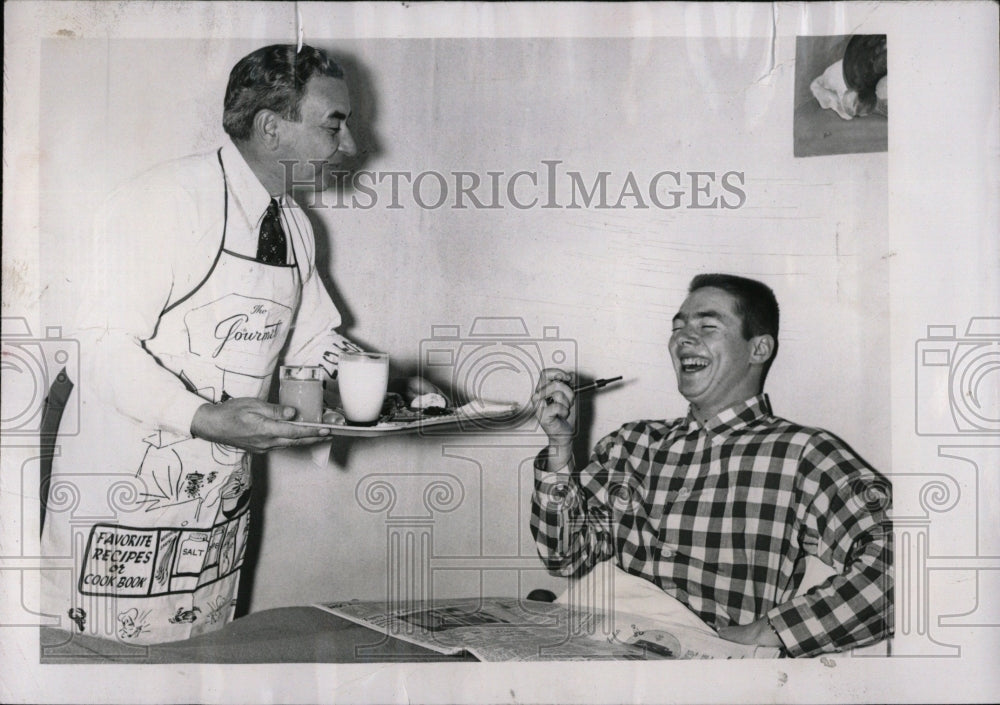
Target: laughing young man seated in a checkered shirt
721,508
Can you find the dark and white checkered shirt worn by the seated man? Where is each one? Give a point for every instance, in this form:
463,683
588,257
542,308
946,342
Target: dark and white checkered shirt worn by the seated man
721,515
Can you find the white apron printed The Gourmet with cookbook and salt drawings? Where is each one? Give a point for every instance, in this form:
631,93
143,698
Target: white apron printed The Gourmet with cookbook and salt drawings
159,524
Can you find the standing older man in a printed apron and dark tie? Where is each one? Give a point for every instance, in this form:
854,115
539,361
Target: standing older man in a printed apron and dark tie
210,278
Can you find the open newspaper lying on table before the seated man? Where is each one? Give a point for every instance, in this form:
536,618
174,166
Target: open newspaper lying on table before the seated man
509,629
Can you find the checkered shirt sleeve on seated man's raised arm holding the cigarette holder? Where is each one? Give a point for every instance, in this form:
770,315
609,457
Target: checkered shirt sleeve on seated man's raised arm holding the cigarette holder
571,525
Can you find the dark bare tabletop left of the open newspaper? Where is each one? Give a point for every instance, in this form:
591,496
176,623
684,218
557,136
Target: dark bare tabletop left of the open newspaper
280,635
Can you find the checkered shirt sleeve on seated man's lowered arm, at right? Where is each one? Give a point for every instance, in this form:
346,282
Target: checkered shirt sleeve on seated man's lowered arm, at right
846,525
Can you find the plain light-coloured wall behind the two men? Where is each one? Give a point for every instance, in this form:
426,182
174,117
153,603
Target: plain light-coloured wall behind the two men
608,279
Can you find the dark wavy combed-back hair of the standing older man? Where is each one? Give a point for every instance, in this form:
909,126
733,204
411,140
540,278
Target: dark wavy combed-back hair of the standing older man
271,78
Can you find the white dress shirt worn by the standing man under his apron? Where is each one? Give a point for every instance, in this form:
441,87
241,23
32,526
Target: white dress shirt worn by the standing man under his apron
155,240
